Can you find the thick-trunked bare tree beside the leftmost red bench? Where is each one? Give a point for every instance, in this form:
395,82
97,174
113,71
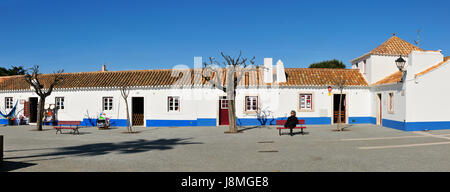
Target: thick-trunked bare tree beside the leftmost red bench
33,80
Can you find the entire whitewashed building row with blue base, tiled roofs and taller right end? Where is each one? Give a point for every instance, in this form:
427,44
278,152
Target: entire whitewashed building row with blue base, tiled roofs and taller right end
181,97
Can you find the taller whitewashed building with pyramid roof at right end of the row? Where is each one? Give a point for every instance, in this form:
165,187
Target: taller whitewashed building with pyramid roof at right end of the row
415,99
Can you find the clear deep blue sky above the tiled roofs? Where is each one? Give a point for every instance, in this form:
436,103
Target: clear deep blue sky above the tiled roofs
81,35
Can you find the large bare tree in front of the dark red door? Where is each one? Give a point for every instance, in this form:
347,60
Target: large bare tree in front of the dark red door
233,69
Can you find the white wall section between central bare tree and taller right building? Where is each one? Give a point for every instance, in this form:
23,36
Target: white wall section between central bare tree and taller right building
283,100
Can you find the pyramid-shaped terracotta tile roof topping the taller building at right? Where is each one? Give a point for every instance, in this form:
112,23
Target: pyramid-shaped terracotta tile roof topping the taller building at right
395,46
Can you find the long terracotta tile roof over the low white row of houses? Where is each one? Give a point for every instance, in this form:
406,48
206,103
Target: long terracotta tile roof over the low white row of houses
184,77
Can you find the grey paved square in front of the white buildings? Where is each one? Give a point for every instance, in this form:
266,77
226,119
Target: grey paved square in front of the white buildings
362,148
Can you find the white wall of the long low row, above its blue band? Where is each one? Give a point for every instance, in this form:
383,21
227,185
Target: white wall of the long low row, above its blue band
196,102
